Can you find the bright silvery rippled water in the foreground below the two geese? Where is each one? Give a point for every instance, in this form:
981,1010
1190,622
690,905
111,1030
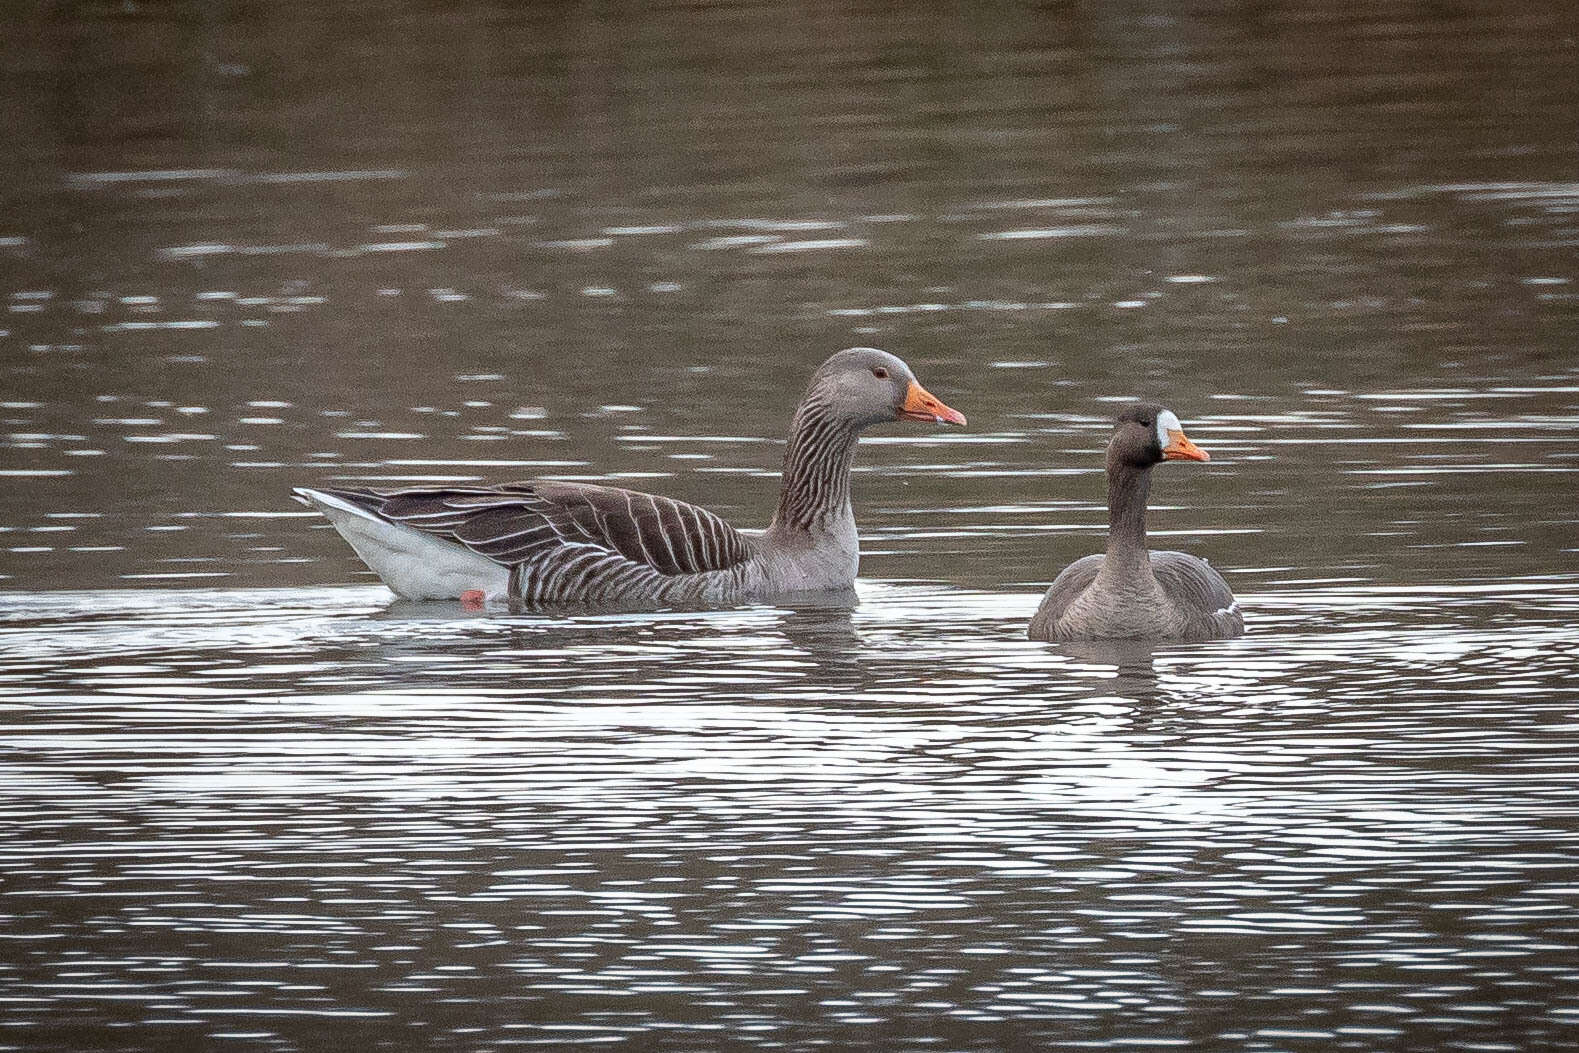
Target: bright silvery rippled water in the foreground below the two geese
282,808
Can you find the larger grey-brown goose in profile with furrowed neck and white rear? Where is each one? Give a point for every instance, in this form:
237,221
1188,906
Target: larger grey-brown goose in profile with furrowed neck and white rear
552,542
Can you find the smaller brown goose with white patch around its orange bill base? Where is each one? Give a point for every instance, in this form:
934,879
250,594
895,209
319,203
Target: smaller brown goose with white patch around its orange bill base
1131,593
